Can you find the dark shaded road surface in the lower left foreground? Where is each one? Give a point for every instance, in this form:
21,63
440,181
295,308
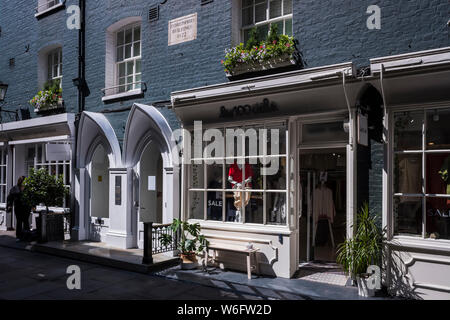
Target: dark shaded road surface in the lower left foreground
29,275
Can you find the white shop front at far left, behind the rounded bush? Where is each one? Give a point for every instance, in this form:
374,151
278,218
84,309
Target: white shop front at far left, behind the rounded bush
44,142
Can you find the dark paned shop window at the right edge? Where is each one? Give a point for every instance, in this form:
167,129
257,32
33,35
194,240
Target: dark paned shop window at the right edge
421,161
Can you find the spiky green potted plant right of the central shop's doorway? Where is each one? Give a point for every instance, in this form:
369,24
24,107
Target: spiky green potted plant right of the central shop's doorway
357,254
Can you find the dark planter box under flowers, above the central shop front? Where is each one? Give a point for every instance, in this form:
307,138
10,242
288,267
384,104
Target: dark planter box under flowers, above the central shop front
283,63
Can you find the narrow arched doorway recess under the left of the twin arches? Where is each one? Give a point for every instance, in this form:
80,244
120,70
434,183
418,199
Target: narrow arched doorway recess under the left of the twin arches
98,222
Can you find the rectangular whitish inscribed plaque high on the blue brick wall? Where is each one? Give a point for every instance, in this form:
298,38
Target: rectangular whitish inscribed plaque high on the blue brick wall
183,29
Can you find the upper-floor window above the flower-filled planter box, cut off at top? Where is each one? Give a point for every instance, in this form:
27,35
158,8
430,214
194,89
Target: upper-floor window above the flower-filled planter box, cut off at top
261,14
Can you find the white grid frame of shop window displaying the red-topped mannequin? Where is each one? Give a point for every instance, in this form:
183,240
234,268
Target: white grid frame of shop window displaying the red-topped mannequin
187,187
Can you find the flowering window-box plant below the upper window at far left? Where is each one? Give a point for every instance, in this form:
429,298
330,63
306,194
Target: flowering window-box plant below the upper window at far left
49,100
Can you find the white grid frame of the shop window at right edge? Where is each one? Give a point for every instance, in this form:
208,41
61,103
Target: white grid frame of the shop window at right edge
391,182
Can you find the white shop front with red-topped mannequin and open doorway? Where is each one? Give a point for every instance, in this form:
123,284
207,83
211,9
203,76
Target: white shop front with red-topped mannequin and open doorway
271,161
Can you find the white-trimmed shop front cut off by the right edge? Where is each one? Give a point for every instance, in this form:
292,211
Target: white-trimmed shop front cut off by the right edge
416,196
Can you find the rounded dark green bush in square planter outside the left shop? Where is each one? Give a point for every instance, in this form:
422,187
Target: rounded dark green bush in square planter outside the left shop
41,188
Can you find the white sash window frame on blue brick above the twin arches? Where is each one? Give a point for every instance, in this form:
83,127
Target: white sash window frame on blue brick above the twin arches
135,85
